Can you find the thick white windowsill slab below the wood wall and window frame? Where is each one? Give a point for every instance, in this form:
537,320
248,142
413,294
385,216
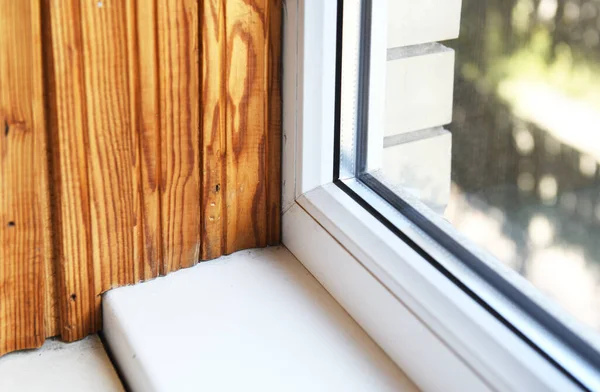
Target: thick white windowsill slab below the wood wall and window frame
256,320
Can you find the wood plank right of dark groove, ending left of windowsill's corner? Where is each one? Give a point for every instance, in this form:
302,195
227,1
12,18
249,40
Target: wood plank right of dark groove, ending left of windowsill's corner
76,290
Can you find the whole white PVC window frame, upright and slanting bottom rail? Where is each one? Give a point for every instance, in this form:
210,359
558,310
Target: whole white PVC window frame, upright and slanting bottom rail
437,334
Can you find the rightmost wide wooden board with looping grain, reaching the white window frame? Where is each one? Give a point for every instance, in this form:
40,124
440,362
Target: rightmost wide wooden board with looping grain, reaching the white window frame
241,124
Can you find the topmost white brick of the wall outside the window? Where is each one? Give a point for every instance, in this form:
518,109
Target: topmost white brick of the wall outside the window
412,22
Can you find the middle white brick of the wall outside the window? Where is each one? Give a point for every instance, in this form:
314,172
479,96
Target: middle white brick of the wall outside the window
419,88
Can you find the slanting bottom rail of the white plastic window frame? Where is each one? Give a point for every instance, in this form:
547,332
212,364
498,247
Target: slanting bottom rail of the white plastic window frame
438,335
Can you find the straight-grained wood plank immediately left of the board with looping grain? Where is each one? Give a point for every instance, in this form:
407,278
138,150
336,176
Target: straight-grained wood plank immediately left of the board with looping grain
178,42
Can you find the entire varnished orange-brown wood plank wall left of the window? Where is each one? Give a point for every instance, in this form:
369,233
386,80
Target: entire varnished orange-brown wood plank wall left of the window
143,137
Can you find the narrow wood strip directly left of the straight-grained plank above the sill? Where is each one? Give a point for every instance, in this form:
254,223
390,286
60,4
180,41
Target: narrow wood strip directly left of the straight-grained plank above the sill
143,65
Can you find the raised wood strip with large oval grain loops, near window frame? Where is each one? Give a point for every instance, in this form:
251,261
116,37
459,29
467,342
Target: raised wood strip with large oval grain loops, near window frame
246,188
